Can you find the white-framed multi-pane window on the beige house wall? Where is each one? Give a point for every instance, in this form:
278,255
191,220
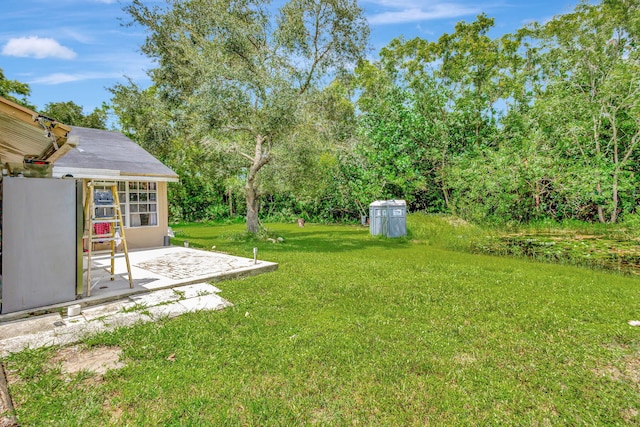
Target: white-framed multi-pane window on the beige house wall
139,203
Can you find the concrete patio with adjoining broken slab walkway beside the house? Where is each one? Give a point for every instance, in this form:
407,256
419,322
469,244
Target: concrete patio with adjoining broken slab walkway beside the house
168,282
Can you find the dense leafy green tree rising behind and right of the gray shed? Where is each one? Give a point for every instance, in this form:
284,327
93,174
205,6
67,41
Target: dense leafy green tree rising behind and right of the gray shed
426,103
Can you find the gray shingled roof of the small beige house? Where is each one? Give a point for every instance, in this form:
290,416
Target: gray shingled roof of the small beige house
102,149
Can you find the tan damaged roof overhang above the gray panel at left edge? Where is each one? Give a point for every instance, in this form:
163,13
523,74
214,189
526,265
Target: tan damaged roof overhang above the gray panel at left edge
23,132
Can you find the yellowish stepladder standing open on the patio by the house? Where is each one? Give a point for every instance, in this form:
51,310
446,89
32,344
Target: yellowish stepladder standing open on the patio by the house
103,223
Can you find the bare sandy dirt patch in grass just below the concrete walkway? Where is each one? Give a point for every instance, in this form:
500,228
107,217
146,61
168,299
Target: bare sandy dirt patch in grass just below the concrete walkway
97,360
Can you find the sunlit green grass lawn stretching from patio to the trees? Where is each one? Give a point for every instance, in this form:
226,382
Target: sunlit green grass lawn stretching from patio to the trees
358,330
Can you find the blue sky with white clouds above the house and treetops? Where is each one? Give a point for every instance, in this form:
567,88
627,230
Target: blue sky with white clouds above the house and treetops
73,50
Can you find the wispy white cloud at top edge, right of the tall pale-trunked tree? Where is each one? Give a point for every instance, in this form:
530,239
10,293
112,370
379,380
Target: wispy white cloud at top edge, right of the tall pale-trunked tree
412,11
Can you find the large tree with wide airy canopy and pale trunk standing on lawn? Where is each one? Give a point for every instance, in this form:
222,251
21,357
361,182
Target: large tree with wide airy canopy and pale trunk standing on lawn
241,76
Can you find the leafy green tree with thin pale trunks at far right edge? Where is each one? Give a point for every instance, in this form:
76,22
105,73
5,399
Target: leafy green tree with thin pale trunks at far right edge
589,101
